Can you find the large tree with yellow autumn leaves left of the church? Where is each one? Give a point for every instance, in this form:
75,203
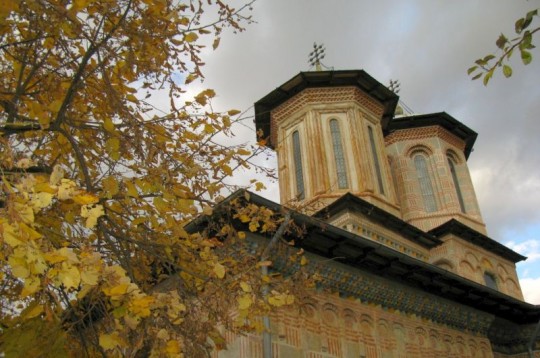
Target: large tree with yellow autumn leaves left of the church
98,189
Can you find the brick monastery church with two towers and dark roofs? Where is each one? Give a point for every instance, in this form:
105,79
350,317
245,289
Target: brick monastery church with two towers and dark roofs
391,211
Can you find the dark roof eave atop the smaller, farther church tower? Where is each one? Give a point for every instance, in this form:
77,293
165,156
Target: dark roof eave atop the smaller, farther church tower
435,119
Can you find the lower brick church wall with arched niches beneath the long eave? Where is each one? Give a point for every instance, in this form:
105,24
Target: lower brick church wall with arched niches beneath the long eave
331,327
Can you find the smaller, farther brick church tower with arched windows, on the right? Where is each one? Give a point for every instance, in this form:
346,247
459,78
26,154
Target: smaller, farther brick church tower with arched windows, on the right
428,155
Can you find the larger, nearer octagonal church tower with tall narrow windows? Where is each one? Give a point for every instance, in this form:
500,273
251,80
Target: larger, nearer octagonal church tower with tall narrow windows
327,130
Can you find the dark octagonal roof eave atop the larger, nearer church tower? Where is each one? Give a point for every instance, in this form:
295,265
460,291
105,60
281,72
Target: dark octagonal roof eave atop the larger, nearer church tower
318,79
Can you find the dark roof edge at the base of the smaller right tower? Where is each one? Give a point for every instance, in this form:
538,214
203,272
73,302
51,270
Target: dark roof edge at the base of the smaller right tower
474,237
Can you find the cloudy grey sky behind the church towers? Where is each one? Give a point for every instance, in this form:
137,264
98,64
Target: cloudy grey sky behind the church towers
427,45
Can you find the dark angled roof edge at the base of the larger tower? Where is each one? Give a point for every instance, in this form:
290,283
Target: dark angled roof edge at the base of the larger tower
352,202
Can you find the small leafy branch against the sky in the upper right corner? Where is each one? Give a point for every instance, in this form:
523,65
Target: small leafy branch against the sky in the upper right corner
485,67
